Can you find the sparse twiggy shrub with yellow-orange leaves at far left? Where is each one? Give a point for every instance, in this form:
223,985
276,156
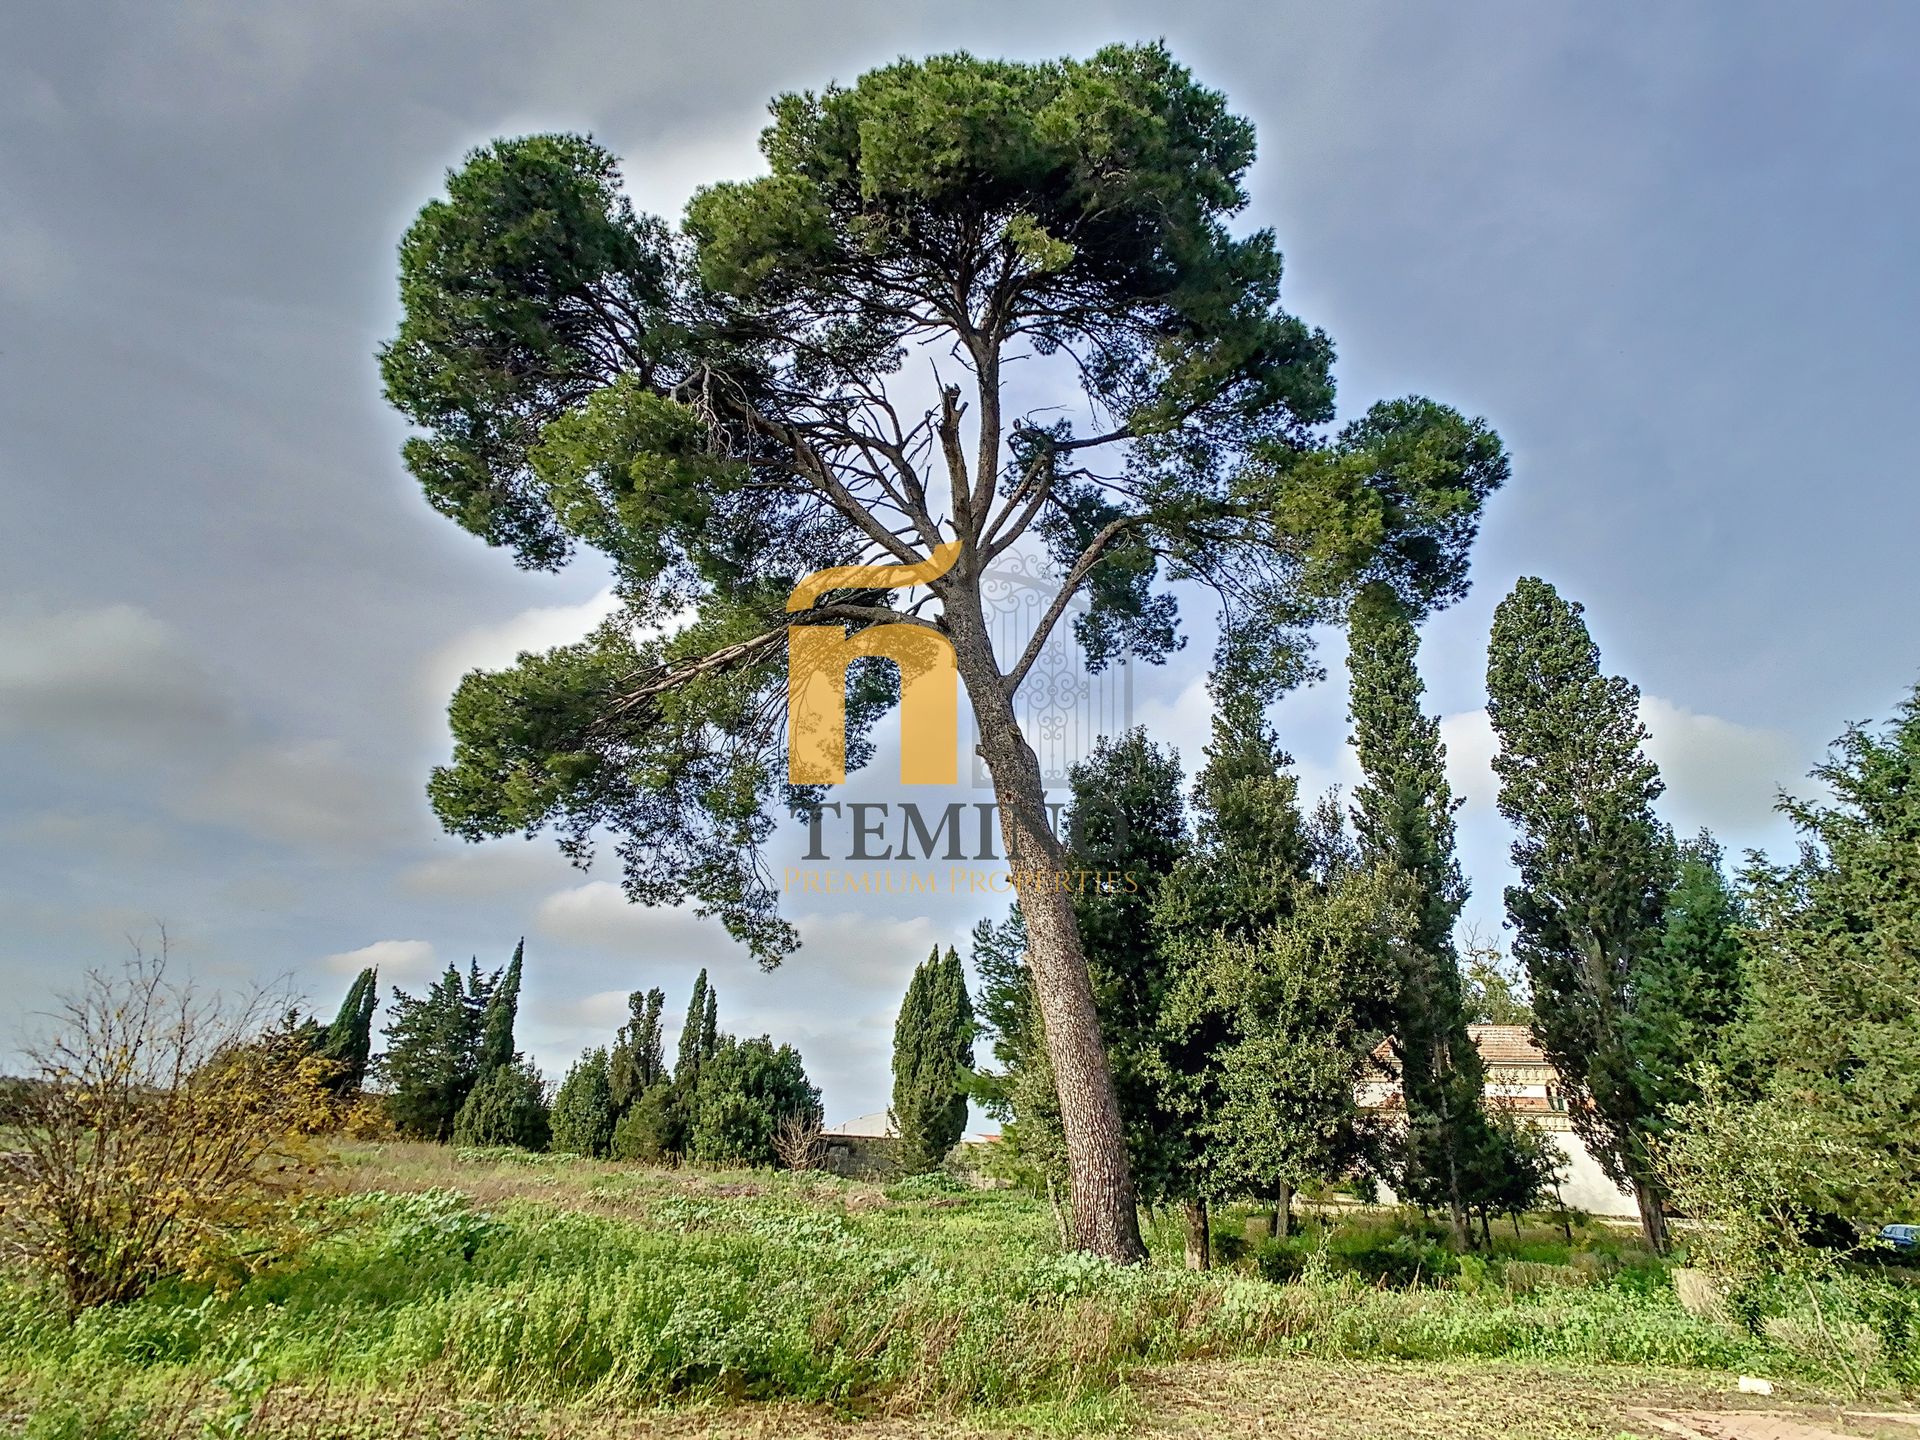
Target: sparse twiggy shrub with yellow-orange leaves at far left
156,1130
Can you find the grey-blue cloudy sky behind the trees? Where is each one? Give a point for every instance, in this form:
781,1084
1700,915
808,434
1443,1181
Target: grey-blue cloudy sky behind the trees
1668,251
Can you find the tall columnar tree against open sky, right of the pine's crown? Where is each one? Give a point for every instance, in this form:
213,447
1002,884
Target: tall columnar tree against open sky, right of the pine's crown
1595,867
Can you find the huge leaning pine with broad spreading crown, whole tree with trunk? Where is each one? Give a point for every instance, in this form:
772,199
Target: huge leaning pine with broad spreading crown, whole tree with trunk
715,408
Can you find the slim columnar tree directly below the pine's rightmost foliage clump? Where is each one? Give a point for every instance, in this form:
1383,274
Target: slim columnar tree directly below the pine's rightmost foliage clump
1404,819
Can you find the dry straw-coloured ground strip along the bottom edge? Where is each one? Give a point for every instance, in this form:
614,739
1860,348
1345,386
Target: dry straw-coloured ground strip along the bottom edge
1295,1399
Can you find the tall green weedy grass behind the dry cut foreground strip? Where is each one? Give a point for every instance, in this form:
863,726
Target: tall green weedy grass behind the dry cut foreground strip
485,1276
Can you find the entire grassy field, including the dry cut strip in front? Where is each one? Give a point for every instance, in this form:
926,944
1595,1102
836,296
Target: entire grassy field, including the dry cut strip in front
494,1295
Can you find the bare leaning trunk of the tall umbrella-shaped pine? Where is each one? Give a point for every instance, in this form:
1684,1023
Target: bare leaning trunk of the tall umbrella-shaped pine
1105,1218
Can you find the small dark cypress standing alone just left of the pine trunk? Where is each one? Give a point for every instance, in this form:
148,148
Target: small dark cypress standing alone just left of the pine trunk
932,1049
